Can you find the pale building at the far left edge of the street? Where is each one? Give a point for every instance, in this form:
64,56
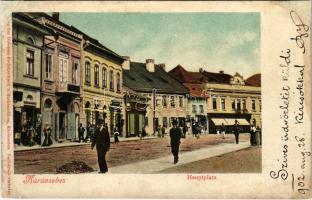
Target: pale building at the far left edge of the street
28,42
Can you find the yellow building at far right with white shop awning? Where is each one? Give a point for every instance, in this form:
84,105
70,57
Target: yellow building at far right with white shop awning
232,98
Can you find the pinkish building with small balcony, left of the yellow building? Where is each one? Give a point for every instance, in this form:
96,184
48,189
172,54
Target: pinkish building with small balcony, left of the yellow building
61,78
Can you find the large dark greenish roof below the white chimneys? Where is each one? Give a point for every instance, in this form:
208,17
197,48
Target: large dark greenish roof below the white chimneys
141,80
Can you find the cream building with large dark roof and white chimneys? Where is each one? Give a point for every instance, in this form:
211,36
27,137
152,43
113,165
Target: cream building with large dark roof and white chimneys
165,96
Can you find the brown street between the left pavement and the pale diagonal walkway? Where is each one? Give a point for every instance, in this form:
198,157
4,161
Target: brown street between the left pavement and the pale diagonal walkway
126,152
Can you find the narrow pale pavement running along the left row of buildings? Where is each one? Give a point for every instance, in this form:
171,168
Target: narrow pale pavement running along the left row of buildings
69,144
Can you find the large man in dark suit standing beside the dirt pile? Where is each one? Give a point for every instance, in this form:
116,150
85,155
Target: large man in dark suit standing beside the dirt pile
102,142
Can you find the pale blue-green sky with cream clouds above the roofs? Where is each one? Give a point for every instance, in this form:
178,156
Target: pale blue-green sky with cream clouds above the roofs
212,41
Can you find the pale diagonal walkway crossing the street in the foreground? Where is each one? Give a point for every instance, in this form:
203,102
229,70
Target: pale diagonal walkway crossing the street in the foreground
159,164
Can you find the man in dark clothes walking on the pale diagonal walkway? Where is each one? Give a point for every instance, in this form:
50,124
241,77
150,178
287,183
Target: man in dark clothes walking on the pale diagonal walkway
175,137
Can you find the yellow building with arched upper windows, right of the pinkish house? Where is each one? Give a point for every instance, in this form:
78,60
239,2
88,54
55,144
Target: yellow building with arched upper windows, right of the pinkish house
102,85
